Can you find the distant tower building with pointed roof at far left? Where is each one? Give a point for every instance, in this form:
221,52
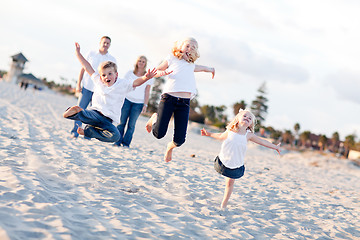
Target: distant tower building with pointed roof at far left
16,75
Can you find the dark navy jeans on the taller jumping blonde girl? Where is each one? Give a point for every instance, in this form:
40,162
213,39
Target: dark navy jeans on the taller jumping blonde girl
168,106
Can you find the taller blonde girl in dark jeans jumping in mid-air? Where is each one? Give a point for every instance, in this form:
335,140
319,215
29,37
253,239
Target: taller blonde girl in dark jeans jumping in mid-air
179,89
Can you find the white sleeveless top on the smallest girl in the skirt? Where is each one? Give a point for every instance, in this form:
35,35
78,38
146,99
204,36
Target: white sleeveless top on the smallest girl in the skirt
233,150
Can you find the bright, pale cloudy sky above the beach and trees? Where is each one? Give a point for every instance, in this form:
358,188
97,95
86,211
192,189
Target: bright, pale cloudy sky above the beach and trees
306,52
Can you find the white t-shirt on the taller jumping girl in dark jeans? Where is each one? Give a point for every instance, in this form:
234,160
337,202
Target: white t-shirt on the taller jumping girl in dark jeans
182,79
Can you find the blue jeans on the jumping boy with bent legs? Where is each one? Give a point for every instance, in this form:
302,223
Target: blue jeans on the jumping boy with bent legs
99,126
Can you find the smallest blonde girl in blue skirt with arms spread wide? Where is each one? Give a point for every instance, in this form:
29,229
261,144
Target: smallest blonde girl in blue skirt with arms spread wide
230,161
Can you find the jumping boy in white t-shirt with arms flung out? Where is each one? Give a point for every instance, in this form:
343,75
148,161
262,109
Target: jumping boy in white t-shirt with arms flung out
108,98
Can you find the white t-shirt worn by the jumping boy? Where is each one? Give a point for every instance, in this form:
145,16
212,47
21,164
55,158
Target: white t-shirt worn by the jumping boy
109,100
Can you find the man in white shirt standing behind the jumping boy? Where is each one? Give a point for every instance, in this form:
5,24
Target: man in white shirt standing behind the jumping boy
85,86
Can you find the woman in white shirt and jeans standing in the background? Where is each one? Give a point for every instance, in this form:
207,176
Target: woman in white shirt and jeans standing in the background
135,103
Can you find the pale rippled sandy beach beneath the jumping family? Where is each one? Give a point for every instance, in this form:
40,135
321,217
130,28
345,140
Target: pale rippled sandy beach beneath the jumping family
54,187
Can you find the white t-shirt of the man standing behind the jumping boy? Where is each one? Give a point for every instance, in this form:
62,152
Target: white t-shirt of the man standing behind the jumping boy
95,58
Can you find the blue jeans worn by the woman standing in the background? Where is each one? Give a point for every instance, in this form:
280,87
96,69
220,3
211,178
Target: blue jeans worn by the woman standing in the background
129,111
